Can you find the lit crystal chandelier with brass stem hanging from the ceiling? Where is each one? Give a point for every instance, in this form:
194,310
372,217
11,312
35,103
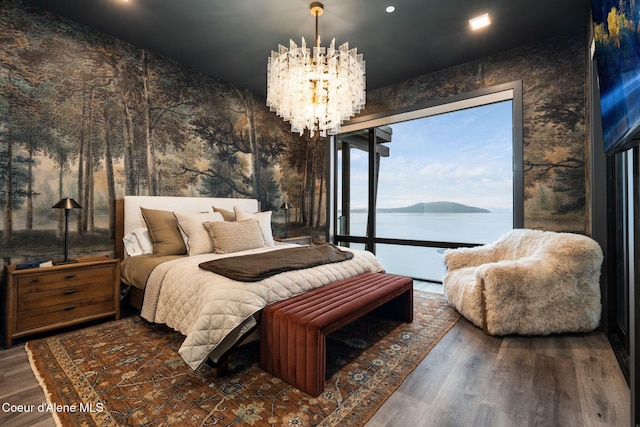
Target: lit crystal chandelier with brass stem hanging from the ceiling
316,92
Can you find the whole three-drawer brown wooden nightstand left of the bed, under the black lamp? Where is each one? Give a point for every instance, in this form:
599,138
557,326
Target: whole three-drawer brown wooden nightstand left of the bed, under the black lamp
41,299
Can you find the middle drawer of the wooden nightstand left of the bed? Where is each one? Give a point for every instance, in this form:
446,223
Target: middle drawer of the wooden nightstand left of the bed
67,295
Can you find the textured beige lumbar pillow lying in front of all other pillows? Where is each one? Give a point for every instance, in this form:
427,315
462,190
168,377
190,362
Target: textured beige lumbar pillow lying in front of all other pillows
234,236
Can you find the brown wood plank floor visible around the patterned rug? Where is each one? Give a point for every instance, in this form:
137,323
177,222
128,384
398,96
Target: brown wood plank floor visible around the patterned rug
468,379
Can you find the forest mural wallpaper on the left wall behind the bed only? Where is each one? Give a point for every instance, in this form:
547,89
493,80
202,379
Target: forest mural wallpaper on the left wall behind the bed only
86,116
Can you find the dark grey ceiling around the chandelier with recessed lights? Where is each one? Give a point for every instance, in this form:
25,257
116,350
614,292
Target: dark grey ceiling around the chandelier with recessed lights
231,39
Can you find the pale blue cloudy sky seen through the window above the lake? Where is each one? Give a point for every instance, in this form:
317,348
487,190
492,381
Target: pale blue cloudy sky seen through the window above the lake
464,157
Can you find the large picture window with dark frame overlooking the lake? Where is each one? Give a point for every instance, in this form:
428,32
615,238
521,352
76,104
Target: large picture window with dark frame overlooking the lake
411,184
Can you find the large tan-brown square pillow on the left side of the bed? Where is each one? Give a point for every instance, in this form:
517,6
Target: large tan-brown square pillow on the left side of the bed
164,232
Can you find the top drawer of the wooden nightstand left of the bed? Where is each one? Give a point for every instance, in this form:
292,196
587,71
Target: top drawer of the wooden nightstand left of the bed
44,280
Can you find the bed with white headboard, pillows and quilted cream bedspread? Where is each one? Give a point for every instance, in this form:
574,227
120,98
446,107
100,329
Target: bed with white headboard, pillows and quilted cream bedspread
214,312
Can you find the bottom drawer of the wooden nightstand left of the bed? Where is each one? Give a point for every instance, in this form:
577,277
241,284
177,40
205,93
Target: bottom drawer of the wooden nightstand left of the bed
63,312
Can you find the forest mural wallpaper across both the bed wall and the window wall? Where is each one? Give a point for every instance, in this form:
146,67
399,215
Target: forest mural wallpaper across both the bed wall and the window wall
88,116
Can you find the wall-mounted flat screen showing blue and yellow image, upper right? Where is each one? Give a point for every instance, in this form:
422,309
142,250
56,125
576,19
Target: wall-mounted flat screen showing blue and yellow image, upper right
617,38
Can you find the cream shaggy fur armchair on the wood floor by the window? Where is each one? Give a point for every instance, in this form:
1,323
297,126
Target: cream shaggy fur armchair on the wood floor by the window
529,282
